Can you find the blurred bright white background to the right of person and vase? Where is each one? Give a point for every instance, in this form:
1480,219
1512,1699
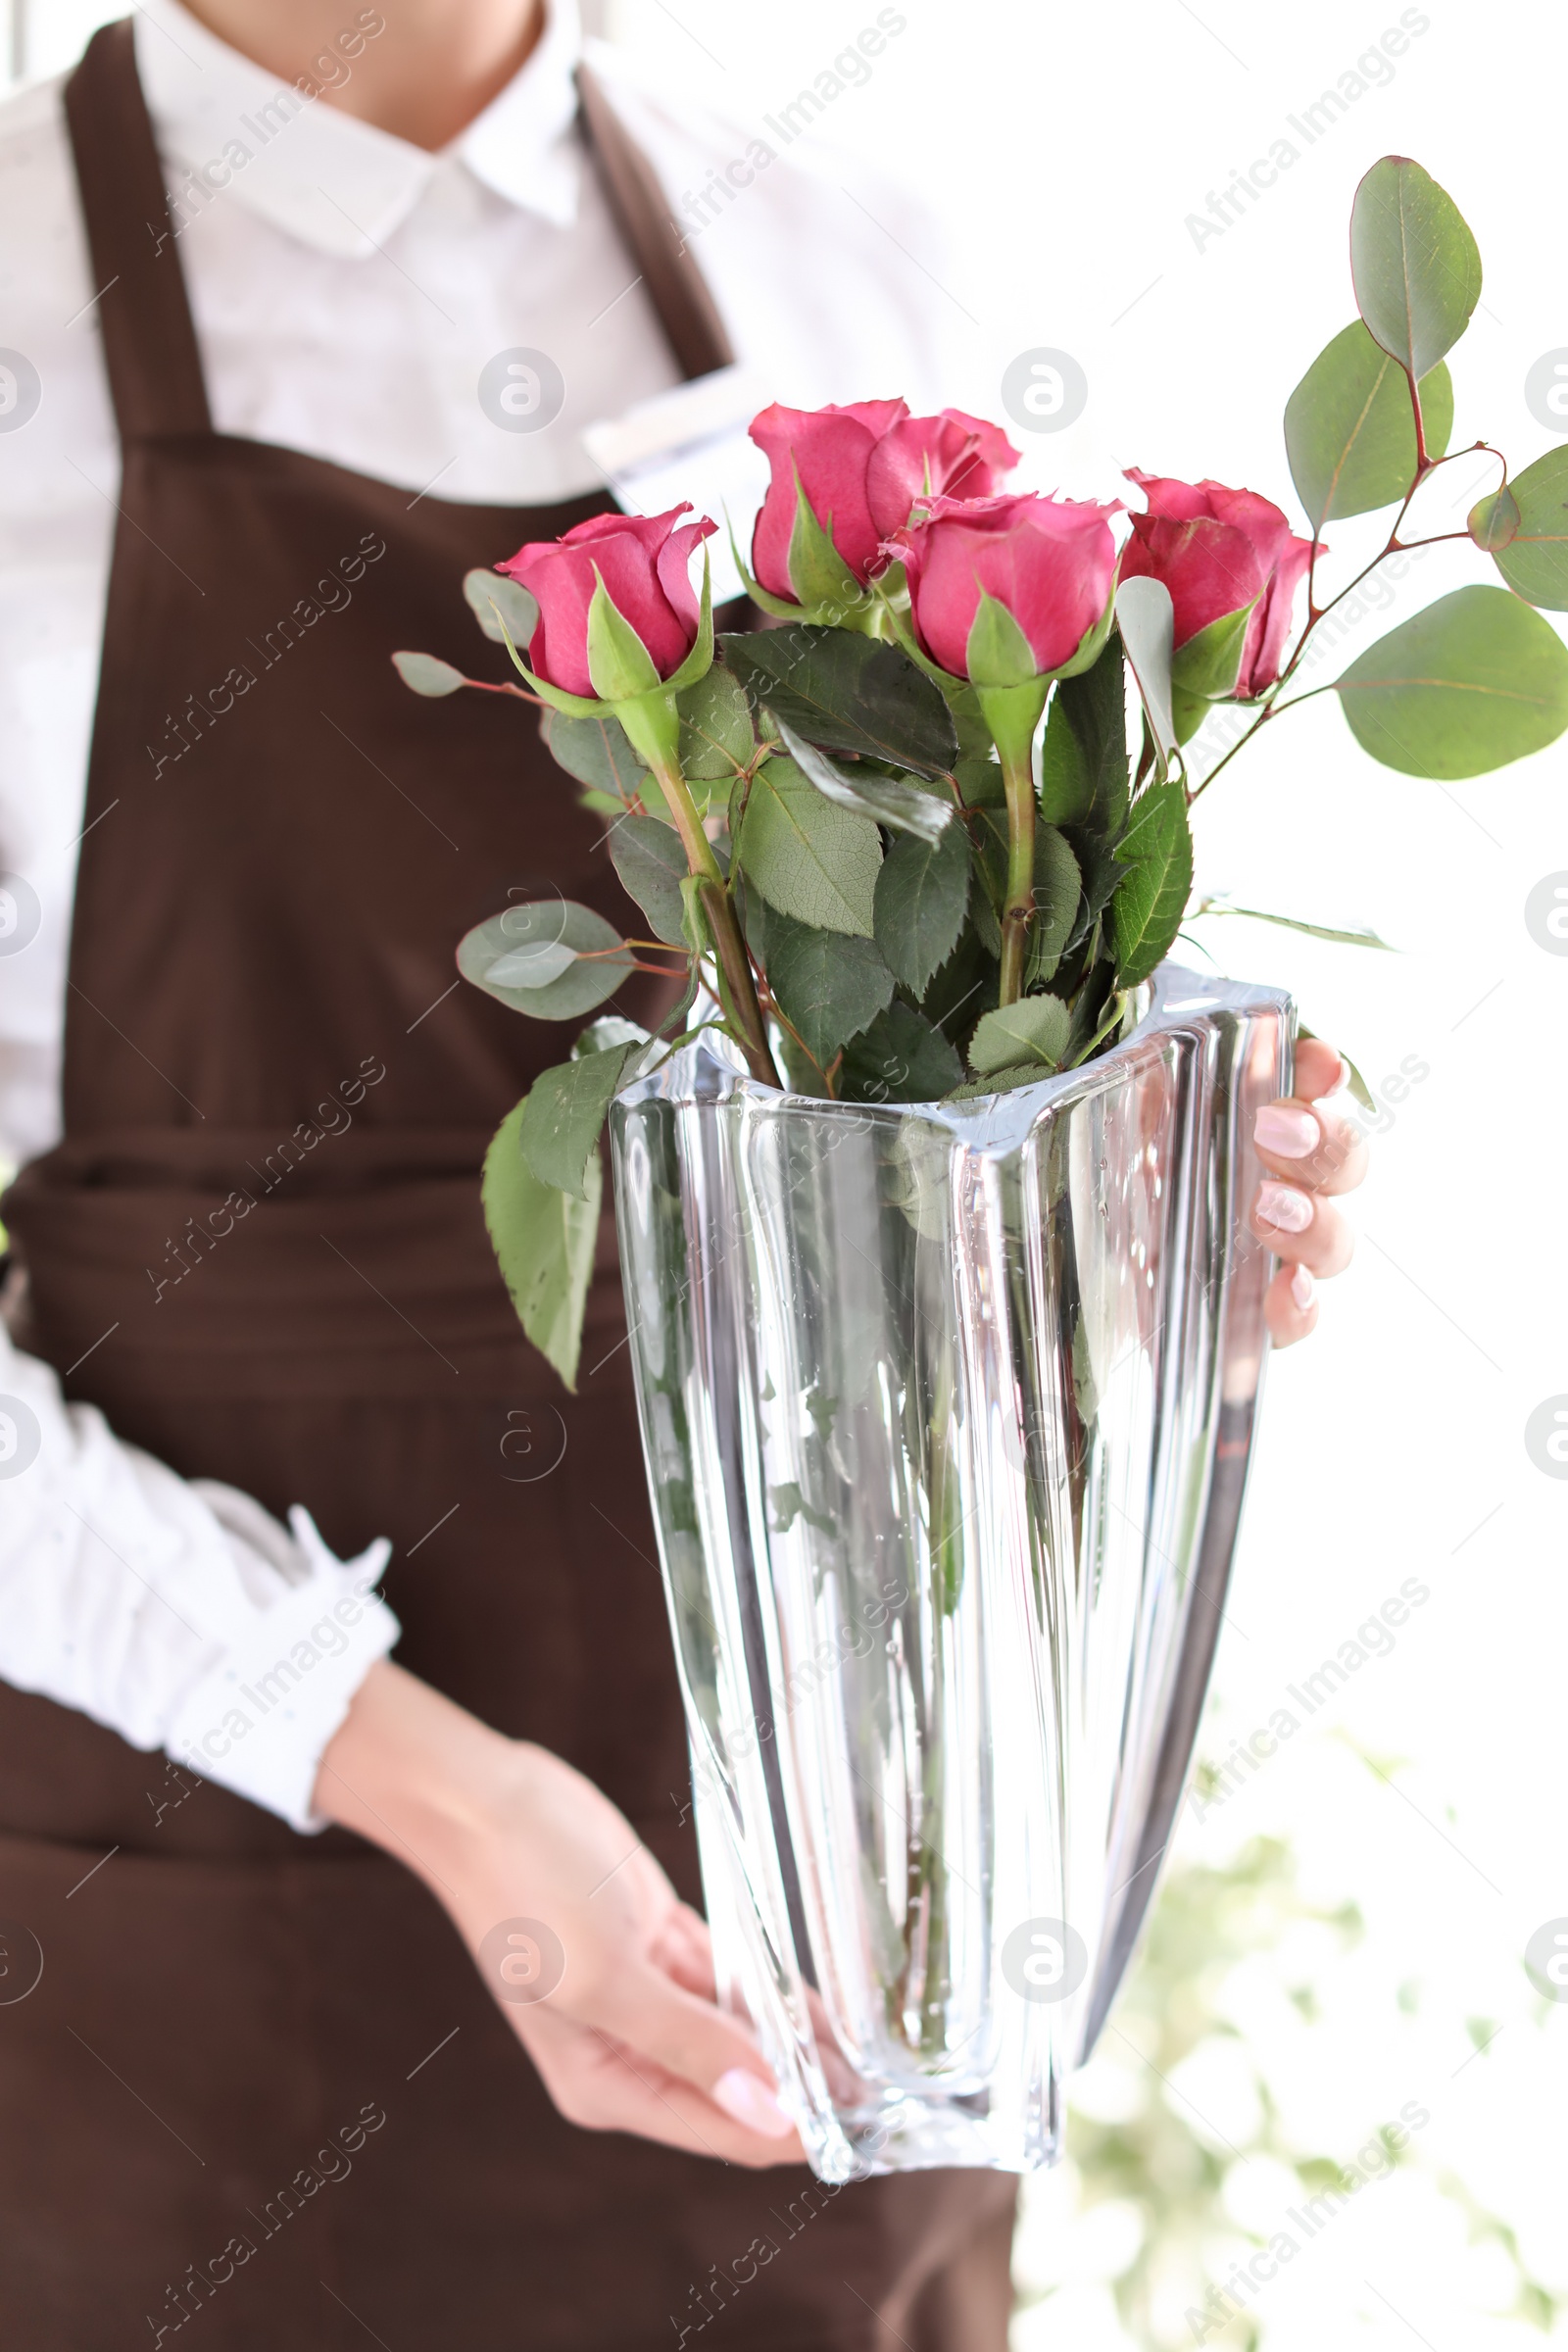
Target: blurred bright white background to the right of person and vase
1066,154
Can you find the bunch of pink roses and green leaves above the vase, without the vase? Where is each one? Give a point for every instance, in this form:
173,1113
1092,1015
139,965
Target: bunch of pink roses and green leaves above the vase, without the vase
852,836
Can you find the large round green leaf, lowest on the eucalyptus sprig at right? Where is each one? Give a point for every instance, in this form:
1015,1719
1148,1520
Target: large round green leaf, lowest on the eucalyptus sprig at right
1466,686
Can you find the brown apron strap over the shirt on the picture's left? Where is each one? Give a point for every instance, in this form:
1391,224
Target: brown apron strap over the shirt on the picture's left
149,342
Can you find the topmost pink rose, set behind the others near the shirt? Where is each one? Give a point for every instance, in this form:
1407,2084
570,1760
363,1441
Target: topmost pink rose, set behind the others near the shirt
864,469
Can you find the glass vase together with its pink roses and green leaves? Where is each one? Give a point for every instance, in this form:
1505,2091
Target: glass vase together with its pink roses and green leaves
934,1189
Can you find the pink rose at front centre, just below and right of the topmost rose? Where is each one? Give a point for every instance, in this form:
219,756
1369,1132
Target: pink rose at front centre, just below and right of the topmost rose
1050,561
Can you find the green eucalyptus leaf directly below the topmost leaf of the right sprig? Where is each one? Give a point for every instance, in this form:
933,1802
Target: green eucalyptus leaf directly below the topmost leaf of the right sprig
1351,432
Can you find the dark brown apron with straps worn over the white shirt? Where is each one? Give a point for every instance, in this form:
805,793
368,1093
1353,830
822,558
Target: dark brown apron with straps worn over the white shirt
260,2087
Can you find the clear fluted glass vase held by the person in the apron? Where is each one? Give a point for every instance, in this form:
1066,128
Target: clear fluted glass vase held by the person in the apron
946,1415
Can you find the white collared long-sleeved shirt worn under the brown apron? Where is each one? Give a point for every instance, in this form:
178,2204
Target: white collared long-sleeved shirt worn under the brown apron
347,293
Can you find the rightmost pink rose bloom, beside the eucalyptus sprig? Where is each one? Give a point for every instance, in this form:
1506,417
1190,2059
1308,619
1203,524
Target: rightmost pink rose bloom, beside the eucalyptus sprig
1221,549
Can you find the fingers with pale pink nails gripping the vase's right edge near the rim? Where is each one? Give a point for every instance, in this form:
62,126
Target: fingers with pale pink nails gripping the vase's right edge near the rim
1311,1156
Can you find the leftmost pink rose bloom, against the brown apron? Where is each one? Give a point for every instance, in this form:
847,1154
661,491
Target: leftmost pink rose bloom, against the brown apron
645,563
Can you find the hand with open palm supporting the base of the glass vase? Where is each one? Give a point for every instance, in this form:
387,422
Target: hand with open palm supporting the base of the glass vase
622,2022
